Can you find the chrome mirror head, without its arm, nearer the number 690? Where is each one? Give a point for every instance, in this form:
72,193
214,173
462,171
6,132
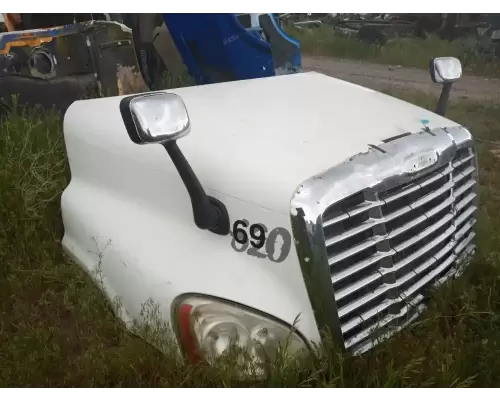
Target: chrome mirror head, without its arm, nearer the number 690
155,117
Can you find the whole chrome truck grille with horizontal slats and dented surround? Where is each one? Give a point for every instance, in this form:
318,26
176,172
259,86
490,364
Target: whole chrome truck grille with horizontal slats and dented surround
376,233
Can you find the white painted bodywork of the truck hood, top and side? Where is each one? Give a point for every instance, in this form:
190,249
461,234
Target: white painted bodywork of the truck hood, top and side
251,144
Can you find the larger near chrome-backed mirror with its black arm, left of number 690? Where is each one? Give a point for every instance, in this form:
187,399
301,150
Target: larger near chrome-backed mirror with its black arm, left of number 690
163,118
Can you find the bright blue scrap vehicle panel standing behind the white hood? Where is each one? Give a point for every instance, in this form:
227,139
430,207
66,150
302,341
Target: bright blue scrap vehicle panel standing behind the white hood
227,47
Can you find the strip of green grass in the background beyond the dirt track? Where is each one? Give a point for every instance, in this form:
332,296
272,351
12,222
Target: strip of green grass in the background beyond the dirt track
407,52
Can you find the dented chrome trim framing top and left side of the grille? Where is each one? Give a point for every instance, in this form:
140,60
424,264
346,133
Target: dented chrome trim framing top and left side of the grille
380,168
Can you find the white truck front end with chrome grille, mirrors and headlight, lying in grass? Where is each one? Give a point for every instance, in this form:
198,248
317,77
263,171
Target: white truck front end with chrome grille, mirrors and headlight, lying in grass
298,200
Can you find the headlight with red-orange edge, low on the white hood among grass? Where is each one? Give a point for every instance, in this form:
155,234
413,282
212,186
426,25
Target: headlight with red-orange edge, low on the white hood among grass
208,328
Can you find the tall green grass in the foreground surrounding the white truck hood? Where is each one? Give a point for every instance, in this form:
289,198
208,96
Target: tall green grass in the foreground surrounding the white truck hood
56,329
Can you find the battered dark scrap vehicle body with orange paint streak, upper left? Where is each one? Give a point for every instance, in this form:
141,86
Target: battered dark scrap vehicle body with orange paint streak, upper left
88,59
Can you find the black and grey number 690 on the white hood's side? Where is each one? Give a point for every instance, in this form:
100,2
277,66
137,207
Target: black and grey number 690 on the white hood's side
254,240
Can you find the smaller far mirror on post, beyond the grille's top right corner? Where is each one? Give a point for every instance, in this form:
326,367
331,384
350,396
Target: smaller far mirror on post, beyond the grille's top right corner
446,71
